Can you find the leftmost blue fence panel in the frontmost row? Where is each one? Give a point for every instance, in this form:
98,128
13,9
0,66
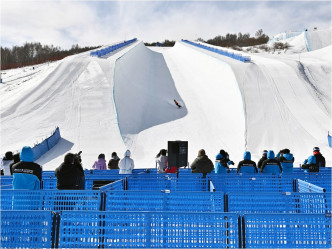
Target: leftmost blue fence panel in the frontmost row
22,229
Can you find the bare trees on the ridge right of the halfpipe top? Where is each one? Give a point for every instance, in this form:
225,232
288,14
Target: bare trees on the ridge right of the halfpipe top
238,40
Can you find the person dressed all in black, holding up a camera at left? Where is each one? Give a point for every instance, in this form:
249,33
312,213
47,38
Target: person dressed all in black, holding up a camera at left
69,175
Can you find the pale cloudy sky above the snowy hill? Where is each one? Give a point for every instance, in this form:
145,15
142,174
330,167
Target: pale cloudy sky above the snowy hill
63,23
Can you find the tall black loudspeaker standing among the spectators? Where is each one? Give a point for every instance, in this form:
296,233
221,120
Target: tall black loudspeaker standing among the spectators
178,153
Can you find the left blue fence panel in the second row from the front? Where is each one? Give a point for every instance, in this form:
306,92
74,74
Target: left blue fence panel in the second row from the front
54,200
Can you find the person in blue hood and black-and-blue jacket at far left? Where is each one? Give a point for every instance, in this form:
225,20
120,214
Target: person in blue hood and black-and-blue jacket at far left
26,173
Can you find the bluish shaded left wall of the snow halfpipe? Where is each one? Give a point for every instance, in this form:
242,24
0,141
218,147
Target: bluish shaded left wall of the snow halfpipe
144,92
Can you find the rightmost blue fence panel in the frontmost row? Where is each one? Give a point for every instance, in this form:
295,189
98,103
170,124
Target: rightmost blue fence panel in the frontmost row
287,230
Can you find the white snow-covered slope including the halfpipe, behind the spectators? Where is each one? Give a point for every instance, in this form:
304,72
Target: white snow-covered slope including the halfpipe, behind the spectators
126,101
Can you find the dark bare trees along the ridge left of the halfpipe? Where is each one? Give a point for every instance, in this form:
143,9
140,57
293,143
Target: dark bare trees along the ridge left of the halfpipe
35,53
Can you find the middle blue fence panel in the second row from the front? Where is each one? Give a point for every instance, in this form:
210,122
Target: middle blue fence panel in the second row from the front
164,201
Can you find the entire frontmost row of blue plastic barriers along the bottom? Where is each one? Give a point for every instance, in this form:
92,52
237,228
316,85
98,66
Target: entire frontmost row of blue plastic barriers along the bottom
97,229
